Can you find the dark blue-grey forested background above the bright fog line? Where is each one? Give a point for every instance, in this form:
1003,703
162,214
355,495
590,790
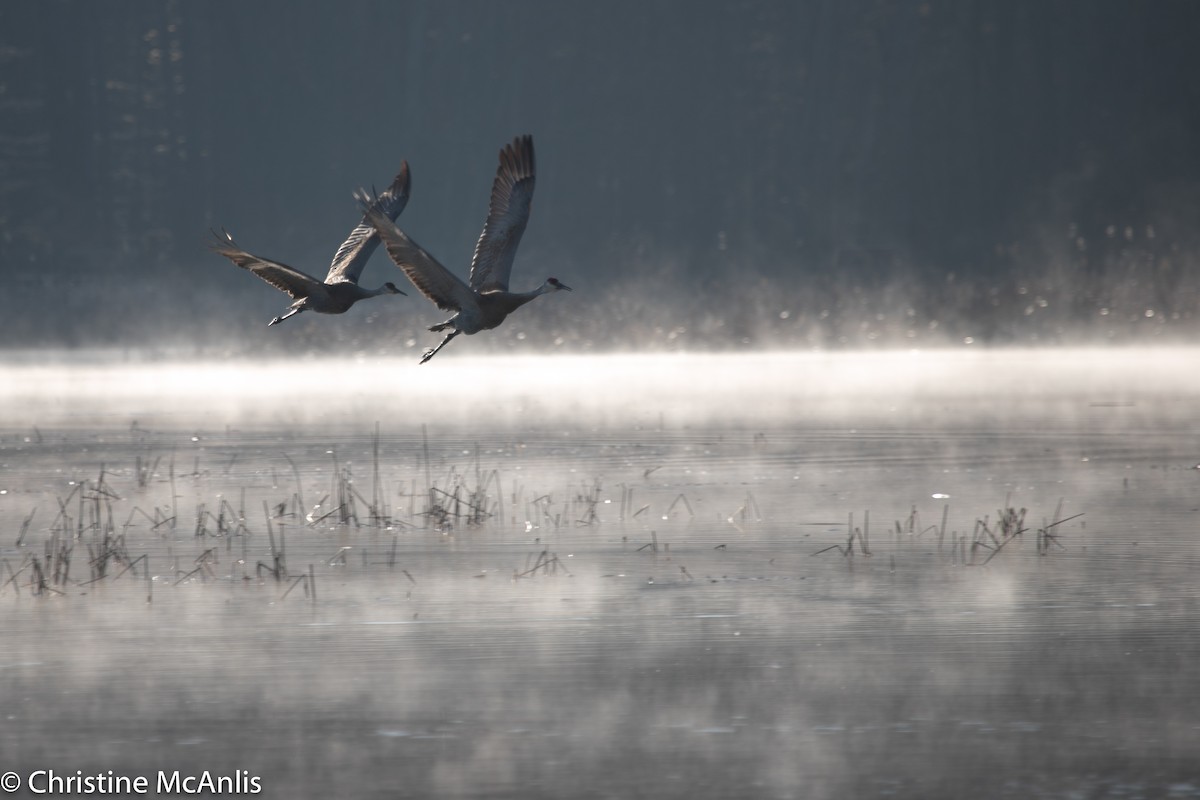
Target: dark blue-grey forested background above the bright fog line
711,173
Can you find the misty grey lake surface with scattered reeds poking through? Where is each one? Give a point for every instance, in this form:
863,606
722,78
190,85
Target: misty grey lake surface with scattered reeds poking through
903,575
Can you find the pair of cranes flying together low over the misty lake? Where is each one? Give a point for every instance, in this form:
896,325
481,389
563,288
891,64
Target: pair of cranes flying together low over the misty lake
481,304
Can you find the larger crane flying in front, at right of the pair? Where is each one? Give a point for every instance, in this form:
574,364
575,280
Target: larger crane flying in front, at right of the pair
484,303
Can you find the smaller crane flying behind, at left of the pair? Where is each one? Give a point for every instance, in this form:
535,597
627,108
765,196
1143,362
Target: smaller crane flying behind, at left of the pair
340,290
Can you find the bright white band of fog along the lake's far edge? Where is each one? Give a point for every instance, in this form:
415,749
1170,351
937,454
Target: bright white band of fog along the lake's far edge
687,388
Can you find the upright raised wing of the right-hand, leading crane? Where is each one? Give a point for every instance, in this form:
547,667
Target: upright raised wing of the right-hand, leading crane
507,216
